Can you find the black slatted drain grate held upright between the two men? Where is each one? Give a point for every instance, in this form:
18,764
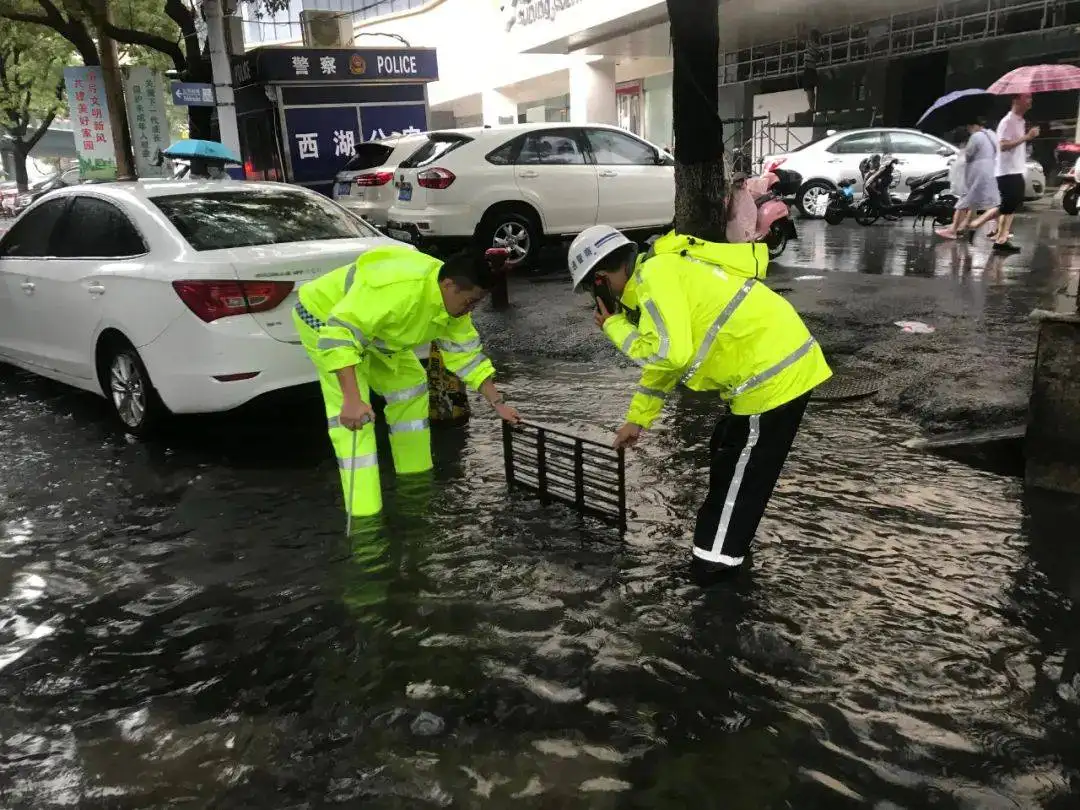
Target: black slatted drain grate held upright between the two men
587,476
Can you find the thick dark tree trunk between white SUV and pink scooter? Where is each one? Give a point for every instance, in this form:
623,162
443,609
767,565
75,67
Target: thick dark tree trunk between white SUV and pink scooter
700,186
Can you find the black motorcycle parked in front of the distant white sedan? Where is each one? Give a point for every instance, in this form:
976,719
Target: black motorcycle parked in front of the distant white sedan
926,199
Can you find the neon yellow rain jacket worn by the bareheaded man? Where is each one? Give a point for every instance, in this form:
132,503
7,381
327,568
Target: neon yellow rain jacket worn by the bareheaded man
389,301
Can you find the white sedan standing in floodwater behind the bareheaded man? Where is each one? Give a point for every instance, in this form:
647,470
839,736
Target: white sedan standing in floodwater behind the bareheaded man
169,298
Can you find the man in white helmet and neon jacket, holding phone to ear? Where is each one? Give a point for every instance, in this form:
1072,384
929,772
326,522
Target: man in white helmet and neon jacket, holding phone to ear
706,320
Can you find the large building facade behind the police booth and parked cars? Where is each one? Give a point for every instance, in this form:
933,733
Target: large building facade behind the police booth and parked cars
790,71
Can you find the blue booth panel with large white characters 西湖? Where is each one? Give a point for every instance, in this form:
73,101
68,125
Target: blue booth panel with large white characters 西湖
321,141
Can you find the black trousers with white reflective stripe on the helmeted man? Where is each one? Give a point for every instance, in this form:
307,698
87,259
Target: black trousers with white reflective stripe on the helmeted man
748,455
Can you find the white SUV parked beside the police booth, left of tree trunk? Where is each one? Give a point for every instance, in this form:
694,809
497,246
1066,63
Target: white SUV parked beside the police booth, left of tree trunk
517,186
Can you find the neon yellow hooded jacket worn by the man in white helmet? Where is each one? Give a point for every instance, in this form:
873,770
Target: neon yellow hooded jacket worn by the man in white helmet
714,331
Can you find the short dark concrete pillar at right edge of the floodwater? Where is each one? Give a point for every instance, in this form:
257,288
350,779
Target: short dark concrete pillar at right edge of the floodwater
1054,424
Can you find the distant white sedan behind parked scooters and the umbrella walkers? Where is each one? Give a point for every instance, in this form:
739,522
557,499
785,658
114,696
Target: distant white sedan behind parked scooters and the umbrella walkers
827,163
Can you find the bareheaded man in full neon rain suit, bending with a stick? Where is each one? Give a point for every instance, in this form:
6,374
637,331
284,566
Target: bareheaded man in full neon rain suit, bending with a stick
360,326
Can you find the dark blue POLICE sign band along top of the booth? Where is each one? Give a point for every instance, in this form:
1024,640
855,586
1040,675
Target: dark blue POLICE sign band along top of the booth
416,65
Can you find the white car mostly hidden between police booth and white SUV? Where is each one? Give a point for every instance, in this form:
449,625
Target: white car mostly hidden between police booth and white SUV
367,184
